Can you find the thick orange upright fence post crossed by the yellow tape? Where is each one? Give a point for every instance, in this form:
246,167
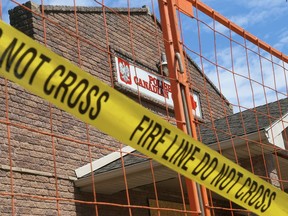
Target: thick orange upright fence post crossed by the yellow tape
181,92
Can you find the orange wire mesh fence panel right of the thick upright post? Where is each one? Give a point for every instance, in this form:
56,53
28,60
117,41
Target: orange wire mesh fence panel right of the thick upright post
252,76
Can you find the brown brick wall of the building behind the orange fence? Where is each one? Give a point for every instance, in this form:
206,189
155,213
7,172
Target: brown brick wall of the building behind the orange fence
43,146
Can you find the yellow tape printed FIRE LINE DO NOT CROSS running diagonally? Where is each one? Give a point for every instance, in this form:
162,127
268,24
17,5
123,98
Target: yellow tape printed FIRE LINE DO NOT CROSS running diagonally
44,73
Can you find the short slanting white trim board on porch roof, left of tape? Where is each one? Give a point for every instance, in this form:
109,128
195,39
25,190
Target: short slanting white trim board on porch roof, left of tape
101,162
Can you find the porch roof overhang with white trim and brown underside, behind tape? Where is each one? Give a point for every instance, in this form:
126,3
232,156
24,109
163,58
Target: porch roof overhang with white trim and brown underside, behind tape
262,141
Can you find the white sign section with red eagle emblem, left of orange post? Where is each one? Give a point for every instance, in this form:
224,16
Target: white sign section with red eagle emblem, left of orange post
147,83
